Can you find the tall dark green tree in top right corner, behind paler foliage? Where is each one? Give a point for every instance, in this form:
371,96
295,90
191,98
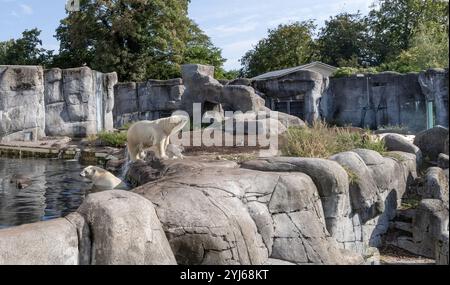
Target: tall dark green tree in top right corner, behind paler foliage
394,22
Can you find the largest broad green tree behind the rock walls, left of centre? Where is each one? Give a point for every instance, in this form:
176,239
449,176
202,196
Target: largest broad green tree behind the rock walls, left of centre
139,39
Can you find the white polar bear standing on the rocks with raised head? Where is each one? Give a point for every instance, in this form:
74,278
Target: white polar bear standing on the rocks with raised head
146,134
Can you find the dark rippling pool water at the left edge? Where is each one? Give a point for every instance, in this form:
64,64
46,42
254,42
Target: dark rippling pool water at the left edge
56,190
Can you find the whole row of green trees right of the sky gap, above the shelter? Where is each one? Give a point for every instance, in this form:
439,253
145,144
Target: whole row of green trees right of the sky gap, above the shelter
398,35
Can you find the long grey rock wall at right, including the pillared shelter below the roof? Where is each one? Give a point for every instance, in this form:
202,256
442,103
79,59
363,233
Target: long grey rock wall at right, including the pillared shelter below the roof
373,101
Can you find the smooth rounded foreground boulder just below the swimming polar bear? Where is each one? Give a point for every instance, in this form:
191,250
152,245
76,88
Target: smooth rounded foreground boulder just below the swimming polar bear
124,230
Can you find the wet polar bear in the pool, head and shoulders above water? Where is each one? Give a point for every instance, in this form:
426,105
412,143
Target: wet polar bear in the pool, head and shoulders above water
102,179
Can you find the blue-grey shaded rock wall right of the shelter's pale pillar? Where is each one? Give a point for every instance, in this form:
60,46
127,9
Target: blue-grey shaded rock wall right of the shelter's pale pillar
387,99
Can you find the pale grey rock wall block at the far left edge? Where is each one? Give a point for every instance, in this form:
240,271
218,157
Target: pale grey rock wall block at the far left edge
22,111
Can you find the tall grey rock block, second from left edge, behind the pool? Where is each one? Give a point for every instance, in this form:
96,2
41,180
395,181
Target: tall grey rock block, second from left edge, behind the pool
78,102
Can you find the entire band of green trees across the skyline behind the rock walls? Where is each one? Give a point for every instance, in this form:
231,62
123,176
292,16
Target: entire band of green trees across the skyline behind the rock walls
150,39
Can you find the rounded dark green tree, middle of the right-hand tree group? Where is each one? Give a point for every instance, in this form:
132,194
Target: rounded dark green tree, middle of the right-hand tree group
343,40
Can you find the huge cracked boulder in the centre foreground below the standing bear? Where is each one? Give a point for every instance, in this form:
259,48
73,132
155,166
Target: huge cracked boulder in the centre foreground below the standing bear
217,215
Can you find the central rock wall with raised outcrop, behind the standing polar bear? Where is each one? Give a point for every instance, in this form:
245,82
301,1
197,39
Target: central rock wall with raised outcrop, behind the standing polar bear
154,99
